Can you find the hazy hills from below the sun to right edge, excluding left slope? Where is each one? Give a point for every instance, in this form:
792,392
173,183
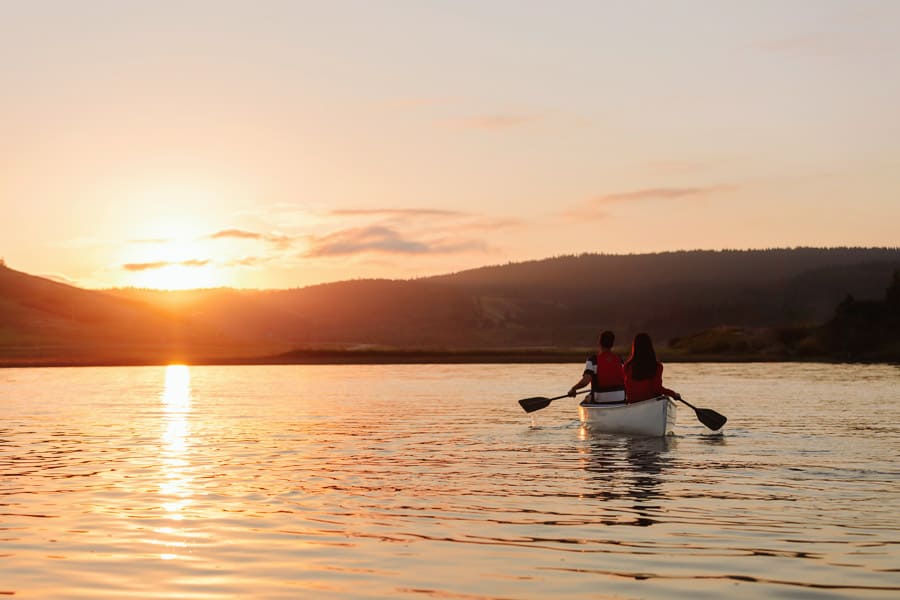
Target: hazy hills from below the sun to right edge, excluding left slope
556,302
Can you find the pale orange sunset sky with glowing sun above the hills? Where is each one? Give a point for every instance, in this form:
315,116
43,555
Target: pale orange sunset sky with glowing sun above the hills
279,144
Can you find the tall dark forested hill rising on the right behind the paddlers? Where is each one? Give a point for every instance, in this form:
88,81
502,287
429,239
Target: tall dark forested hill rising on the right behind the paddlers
567,299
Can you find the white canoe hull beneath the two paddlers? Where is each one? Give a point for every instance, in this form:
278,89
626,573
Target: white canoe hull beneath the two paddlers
655,417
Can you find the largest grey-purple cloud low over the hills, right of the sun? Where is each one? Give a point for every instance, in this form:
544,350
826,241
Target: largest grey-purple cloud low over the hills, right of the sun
382,239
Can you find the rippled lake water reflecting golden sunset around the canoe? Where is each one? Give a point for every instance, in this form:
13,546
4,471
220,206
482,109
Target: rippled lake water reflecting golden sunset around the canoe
429,481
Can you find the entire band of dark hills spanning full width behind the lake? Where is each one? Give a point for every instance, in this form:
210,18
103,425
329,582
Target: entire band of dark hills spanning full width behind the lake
552,305
